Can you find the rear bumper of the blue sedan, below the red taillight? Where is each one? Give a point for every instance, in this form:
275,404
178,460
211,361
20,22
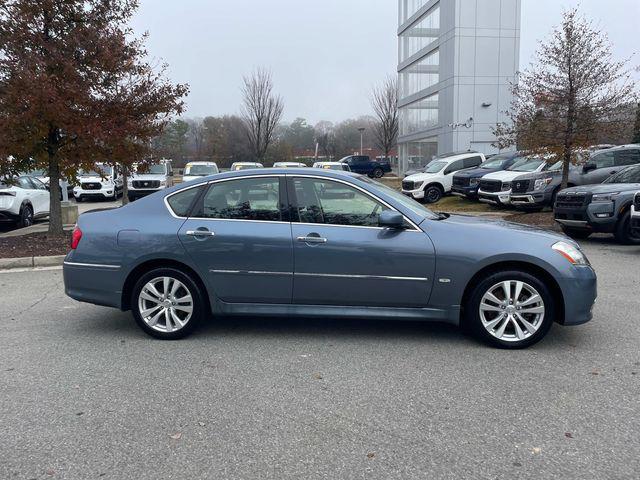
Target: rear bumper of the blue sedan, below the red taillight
92,283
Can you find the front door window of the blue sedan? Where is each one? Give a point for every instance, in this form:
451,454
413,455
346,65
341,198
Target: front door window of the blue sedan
334,203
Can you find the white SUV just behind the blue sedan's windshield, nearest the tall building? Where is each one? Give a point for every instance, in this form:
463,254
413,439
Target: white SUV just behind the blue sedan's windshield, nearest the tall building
436,178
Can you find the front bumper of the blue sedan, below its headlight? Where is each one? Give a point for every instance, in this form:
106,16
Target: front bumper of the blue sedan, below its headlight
579,290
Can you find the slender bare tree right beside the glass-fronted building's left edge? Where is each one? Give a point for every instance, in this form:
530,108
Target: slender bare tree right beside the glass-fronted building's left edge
384,100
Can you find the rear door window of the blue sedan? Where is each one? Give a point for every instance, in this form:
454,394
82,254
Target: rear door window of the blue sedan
243,199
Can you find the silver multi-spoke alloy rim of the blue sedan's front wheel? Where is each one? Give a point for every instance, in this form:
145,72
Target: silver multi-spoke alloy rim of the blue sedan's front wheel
512,311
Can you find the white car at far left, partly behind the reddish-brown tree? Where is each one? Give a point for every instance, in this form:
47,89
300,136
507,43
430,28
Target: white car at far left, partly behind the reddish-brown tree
23,200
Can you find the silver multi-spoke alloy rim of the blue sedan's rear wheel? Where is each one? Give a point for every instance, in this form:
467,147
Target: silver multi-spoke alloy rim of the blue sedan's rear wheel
165,304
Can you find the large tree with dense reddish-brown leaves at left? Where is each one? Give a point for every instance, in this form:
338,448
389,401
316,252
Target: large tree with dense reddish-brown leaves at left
75,89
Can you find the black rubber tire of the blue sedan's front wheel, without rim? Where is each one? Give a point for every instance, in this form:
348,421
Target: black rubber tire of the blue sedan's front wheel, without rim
473,324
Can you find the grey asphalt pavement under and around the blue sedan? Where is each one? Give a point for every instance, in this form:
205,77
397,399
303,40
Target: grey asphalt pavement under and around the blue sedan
85,394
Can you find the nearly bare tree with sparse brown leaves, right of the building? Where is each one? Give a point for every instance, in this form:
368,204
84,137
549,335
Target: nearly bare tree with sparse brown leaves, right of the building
569,96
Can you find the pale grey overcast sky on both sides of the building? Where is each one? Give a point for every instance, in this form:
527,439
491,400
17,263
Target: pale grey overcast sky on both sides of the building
325,55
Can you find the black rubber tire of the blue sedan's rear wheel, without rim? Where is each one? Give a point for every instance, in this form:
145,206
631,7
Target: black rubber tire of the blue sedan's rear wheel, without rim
199,304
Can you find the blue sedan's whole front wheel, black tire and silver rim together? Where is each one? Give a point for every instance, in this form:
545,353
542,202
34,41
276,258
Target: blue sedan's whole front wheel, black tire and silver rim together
485,318
